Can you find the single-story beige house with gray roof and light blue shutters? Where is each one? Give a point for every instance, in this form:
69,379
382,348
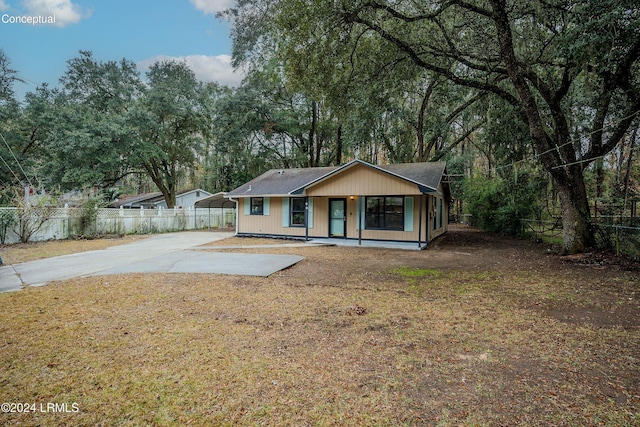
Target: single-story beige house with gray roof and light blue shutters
402,202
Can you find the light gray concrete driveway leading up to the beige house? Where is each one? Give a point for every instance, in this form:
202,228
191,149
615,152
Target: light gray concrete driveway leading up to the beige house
161,253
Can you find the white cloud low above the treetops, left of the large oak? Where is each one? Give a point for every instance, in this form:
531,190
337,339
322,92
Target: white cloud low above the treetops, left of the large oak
206,68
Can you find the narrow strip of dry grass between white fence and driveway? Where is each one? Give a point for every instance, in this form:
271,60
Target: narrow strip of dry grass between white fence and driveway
23,252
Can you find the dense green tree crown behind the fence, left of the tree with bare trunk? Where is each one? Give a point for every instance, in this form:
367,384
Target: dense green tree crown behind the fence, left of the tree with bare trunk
83,129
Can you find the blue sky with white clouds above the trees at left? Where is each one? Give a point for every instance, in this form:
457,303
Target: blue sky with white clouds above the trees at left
143,31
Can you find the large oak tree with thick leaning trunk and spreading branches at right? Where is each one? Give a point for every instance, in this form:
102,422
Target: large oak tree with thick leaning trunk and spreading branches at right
569,68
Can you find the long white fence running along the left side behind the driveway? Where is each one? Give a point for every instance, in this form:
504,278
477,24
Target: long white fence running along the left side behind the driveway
50,223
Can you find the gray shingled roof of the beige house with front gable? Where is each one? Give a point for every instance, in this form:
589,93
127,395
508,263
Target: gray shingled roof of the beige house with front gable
293,181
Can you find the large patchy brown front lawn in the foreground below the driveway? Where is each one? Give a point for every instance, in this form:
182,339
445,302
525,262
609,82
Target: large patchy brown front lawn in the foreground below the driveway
478,330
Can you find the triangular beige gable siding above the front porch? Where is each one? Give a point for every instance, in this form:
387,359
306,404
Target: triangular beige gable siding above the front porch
361,180
